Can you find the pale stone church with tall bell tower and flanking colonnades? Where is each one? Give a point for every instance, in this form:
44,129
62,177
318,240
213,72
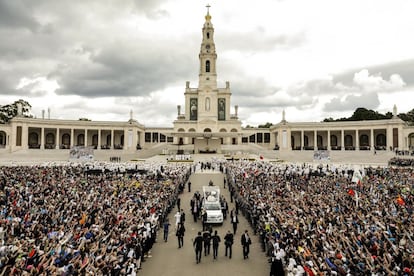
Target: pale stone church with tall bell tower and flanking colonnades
206,122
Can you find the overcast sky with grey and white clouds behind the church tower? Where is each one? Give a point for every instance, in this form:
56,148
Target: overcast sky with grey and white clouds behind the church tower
100,59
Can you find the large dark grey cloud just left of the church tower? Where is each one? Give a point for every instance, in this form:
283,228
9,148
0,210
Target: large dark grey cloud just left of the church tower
121,70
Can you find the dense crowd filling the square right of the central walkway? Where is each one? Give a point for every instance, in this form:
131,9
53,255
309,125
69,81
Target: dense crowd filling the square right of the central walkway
329,220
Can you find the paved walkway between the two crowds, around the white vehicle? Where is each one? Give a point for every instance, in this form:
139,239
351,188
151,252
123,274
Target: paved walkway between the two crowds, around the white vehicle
168,259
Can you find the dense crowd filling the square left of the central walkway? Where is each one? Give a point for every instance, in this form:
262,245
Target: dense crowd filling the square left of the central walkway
81,220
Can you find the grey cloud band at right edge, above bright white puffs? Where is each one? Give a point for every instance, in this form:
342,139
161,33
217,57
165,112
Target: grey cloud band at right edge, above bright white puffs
403,68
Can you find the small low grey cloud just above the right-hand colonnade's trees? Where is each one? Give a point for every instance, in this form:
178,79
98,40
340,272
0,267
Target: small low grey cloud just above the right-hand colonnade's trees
351,102
